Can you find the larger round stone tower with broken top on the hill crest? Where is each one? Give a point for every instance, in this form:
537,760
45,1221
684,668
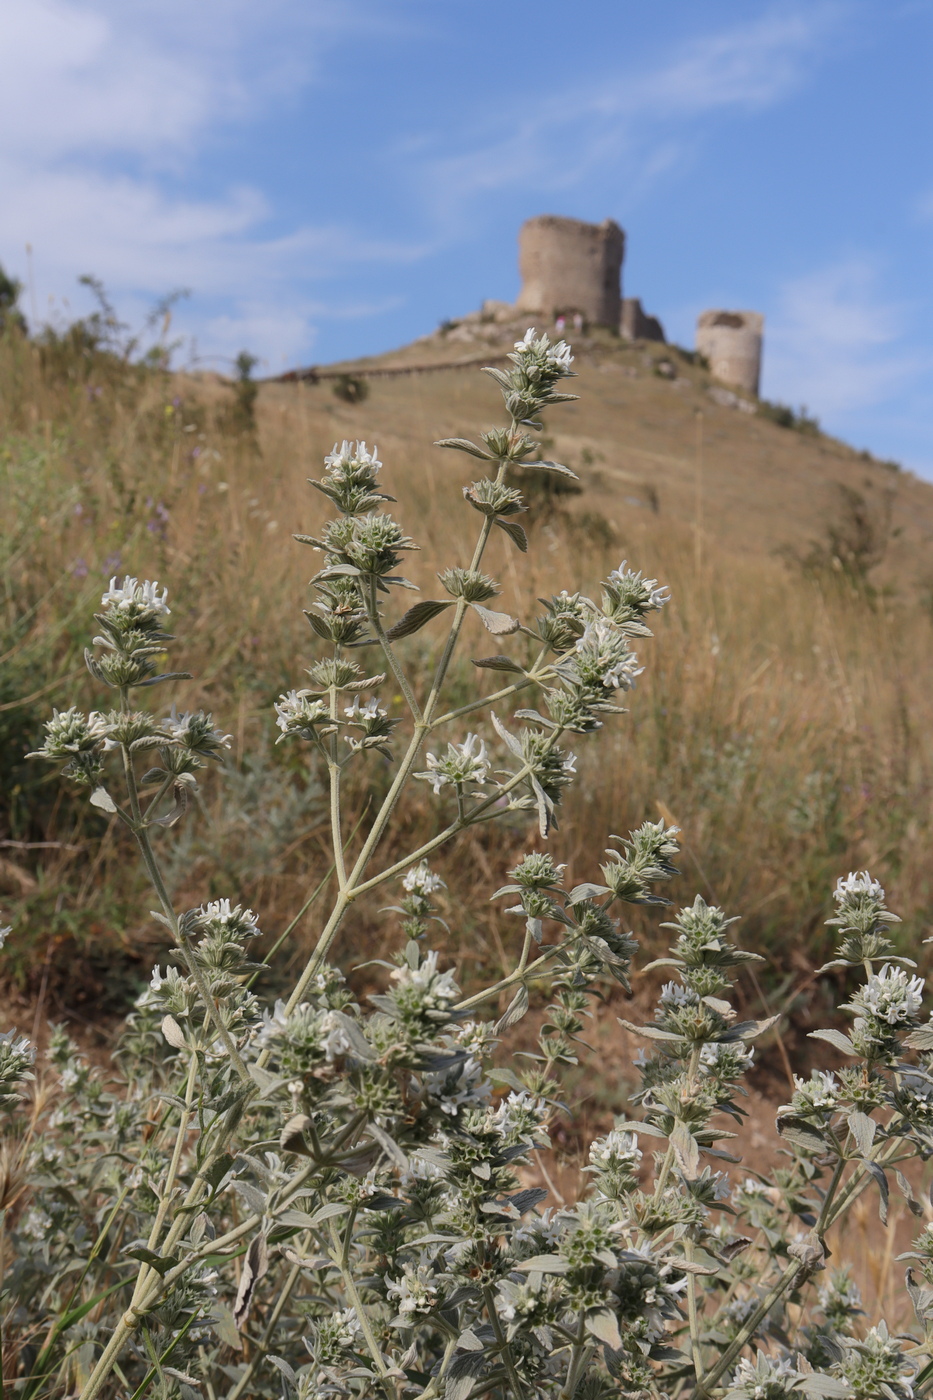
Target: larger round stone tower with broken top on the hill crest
569,267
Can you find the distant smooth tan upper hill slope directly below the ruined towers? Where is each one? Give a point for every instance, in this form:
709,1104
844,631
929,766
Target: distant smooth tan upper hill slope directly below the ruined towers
654,433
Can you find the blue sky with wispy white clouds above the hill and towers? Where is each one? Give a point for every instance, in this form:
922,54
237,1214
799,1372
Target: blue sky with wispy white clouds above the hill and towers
334,178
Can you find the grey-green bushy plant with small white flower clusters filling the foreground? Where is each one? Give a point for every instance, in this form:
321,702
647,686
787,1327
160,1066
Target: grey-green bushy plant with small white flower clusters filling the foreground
330,1199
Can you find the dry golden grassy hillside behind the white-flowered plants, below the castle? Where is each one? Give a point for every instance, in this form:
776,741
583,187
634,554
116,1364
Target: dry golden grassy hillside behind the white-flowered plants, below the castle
784,719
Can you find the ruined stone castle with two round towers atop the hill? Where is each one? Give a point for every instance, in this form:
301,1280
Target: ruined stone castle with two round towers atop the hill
572,272
